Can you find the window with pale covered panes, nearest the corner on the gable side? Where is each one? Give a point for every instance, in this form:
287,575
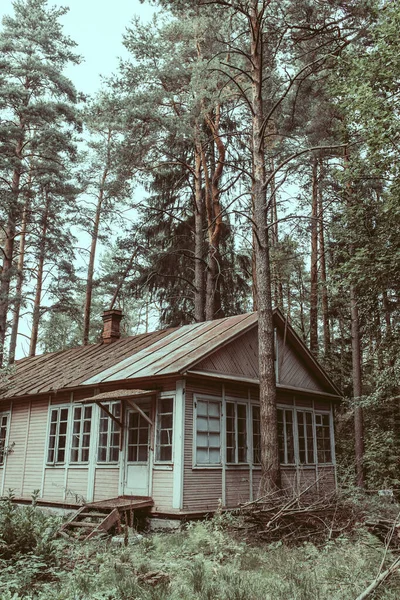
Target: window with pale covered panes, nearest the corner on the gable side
208,432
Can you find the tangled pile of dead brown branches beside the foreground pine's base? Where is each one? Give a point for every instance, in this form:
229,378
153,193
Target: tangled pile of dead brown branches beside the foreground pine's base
275,518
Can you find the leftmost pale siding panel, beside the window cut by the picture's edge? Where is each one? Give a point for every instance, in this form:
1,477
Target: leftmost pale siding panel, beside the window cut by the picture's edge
16,459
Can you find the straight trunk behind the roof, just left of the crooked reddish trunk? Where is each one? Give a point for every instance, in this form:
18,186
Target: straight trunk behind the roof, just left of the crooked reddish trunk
199,296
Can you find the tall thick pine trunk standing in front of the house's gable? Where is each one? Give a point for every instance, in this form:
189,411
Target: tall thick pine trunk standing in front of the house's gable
270,466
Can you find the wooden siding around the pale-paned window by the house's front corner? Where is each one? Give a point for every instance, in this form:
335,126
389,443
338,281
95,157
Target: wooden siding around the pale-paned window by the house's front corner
202,488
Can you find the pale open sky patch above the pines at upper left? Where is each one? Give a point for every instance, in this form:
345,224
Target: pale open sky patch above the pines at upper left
97,26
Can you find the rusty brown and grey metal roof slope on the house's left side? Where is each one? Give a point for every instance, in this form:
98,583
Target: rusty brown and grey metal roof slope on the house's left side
165,352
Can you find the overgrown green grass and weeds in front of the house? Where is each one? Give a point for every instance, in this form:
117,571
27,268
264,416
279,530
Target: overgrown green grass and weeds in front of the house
204,562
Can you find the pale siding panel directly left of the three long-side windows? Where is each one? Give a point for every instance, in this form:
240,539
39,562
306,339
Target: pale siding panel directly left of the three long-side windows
35,454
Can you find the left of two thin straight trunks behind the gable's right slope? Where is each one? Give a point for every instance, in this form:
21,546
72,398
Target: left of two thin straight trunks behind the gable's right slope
314,263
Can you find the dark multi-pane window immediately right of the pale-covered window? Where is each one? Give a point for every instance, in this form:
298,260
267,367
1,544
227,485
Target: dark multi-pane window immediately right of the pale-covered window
236,433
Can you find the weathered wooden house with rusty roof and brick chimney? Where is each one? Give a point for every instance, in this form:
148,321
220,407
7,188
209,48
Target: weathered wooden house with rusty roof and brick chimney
172,416
